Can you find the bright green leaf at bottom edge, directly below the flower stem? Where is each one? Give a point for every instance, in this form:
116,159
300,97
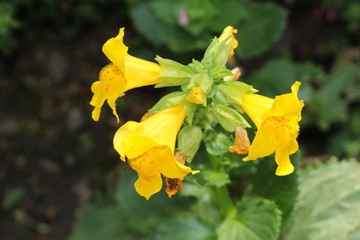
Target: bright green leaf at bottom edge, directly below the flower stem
256,219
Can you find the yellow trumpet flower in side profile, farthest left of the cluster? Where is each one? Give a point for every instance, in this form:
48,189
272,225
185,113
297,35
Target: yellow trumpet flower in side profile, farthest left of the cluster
124,73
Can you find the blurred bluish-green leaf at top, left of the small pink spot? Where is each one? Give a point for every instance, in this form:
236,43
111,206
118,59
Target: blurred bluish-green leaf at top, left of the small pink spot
146,23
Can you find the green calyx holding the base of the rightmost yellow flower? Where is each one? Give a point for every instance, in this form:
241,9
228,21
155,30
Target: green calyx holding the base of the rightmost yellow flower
232,90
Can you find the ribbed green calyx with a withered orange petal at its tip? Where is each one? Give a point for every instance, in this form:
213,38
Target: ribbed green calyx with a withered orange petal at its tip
229,118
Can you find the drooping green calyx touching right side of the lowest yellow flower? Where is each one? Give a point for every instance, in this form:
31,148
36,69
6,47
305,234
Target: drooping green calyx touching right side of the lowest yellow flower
189,140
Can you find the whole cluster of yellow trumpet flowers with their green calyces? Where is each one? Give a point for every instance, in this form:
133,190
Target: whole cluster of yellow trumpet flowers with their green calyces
170,134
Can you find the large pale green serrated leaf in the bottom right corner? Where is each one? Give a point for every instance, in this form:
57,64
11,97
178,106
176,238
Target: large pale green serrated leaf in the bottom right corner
328,203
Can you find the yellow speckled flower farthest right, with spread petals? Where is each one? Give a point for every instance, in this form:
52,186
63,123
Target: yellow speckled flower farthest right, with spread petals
277,122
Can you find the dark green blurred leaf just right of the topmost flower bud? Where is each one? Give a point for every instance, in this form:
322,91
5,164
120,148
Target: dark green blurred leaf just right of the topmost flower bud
264,24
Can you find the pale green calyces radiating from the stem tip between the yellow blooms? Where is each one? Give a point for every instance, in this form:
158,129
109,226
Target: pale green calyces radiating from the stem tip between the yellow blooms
203,89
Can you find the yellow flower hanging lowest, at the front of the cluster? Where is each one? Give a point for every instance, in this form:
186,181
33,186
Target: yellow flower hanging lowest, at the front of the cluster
149,147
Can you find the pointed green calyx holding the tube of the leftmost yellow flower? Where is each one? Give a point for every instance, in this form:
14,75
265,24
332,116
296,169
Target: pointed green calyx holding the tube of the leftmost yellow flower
173,73
